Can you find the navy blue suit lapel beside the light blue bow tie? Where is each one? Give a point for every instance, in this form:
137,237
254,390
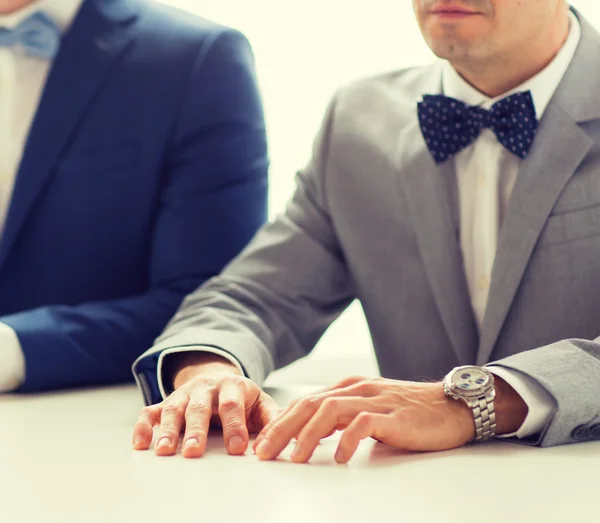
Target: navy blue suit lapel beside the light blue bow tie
98,36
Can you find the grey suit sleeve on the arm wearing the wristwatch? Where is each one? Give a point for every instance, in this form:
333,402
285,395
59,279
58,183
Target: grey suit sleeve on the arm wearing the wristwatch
570,371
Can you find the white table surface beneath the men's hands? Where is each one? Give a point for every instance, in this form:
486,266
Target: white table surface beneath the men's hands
66,457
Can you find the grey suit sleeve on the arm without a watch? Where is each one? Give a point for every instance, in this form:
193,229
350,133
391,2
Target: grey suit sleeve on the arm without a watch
272,304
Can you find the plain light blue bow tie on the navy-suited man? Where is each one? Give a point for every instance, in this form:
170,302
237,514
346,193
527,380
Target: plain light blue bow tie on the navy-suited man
38,35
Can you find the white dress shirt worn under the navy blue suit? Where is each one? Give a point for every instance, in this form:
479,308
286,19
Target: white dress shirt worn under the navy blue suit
22,79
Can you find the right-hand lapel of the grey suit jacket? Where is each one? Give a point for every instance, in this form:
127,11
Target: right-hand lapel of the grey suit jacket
560,147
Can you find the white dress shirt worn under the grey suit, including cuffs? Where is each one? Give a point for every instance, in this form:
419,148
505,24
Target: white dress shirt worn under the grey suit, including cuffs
486,175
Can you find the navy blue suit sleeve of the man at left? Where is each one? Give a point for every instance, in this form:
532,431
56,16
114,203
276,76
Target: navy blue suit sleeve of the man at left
213,202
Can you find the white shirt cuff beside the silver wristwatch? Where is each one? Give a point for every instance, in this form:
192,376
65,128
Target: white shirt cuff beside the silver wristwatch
540,402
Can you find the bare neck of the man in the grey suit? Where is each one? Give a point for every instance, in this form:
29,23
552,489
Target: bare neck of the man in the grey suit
495,77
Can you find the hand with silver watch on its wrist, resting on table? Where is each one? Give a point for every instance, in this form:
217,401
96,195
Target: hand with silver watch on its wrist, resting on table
406,415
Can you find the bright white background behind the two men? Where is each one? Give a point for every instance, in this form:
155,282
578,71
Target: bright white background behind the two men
304,51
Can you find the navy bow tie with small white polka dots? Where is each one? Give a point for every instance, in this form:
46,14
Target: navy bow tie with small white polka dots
449,125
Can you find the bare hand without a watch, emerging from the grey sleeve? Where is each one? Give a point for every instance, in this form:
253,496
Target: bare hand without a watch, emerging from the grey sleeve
212,390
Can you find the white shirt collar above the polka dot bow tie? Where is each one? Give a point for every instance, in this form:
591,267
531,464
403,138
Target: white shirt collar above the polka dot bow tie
542,85
